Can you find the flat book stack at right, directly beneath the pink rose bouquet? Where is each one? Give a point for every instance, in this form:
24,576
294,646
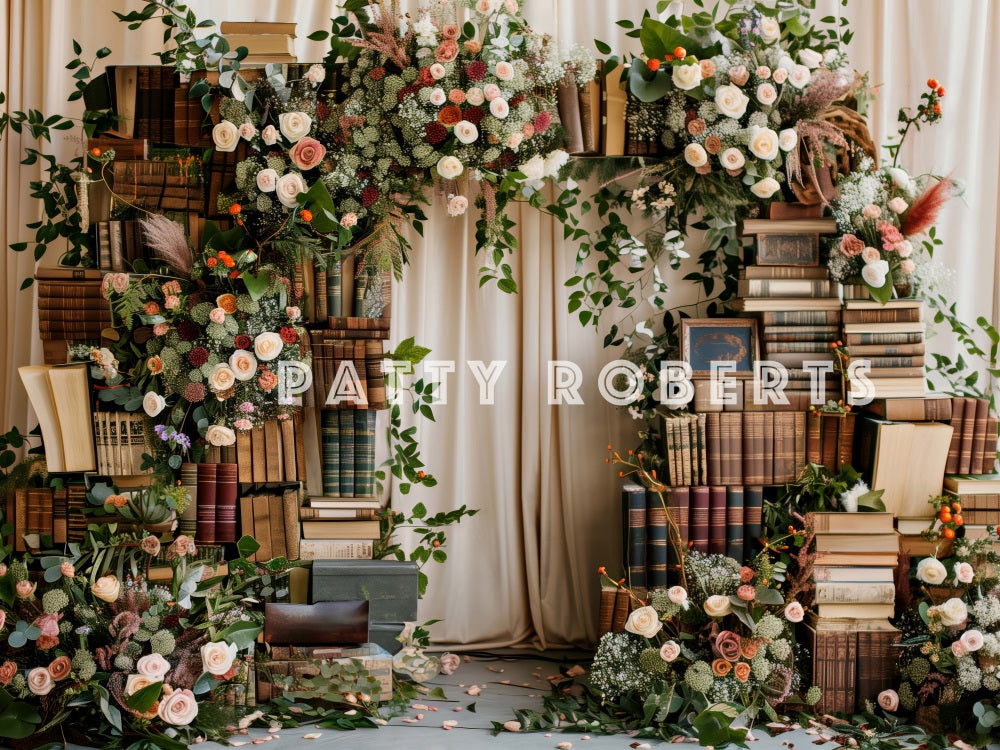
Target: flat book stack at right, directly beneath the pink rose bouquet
890,338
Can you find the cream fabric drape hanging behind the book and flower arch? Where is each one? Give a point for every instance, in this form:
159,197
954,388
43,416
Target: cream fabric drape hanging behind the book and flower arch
524,568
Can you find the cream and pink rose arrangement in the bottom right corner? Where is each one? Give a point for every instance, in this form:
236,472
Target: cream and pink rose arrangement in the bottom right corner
950,663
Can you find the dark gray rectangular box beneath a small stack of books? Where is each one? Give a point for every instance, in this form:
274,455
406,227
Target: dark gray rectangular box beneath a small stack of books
389,586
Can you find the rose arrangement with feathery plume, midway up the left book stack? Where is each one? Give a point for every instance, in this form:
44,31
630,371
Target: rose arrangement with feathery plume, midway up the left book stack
219,338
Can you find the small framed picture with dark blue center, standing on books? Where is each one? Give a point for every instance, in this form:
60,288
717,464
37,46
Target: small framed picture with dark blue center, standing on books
707,340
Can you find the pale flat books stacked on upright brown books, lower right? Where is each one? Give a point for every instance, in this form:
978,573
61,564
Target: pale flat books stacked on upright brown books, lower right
849,635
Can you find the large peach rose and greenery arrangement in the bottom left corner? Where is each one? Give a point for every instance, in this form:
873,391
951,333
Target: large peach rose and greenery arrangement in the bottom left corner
91,646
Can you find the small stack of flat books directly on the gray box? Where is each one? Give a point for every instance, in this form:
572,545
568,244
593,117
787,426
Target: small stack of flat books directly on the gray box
339,528
